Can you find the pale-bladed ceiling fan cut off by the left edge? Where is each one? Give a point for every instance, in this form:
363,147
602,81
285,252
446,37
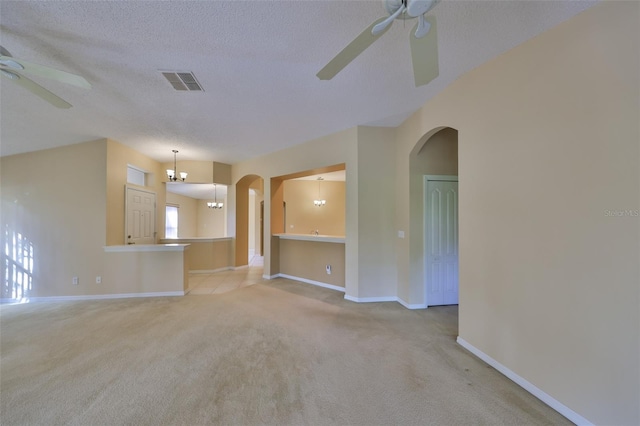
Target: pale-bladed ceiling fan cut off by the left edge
14,70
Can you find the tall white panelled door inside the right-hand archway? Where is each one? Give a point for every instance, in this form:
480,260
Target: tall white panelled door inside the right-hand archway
441,241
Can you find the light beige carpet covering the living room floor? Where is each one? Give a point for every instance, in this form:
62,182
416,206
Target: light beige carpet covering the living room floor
277,352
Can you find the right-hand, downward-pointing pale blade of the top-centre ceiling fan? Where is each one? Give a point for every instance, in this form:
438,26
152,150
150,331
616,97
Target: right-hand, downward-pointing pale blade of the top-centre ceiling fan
424,54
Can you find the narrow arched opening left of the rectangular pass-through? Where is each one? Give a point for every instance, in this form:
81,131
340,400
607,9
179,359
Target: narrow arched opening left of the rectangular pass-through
243,215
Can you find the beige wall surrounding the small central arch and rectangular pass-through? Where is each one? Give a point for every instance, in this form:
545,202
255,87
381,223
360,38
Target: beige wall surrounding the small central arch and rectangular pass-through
370,272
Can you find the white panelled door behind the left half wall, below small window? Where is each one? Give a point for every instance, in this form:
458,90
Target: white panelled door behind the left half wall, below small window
140,216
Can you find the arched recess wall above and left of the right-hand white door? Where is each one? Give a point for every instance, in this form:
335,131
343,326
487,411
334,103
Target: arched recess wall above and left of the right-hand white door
436,153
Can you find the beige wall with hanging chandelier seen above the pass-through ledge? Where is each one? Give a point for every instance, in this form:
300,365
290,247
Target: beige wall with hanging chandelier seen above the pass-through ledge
303,216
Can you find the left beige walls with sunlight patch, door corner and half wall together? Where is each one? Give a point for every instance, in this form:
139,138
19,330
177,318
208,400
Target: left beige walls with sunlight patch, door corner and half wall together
68,203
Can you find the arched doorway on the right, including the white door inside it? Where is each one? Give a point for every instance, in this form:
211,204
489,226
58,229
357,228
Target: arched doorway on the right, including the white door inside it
434,156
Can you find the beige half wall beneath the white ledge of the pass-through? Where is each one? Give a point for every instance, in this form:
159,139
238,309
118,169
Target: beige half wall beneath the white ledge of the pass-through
308,259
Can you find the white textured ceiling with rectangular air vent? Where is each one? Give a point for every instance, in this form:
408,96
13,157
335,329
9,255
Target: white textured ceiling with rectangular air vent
256,61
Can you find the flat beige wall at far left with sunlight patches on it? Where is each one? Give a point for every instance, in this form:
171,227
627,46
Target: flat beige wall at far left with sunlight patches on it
56,199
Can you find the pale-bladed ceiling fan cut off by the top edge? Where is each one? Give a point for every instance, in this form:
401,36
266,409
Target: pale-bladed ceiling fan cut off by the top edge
422,40
